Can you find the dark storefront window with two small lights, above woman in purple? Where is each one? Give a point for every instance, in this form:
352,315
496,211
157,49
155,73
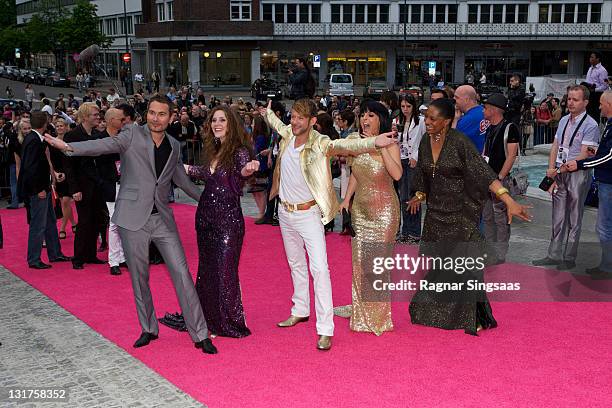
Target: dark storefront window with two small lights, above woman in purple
225,68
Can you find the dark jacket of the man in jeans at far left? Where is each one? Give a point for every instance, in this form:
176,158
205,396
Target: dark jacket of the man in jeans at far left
34,173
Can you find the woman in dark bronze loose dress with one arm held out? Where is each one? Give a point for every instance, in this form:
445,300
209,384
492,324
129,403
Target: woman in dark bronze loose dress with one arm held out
453,179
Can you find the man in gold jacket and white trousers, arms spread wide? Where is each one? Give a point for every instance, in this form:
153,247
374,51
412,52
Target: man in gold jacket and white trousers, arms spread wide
302,179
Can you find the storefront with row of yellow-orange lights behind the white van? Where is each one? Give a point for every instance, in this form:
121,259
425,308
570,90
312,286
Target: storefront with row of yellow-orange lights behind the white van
365,66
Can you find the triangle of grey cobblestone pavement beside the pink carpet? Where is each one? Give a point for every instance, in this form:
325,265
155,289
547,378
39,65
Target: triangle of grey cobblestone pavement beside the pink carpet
45,346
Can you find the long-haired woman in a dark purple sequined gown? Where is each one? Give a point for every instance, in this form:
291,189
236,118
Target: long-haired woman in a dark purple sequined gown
219,222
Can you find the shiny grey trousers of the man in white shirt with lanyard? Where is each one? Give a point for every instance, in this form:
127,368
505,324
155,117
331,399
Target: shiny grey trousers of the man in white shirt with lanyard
568,209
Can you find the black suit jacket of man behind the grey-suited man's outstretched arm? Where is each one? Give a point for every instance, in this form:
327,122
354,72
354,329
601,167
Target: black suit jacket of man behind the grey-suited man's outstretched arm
82,173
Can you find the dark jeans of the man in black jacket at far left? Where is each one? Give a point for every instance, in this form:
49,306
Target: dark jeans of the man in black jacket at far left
42,226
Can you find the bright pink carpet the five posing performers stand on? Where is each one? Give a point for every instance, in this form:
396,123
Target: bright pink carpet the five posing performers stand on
541,355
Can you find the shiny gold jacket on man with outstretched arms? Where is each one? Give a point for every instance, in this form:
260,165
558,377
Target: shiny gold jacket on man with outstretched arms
315,163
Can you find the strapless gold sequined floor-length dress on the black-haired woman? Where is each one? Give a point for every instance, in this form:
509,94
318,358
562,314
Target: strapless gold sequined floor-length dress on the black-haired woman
375,216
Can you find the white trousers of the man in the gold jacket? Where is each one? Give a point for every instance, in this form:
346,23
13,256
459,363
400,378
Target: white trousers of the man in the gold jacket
303,233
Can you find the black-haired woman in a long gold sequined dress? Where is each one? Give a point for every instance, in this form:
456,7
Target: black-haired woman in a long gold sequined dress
375,218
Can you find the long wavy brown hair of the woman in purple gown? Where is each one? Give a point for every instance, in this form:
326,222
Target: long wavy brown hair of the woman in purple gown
235,138
